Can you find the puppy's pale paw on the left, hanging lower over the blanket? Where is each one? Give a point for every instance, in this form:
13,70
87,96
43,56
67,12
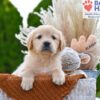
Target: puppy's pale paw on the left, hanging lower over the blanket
27,83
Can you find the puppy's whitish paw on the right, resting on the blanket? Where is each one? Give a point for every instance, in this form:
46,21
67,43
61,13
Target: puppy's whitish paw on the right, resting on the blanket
59,78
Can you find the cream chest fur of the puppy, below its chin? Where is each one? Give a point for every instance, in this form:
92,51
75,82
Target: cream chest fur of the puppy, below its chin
42,64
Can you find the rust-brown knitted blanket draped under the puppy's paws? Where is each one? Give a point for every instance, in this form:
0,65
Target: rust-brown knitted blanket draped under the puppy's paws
43,88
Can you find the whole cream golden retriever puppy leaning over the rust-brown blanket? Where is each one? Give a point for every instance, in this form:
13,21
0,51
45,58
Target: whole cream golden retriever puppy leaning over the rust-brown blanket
44,56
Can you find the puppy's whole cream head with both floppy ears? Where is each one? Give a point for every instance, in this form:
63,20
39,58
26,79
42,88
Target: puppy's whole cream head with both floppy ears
46,39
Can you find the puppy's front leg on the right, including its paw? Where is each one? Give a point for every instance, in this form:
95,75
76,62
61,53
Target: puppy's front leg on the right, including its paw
58,77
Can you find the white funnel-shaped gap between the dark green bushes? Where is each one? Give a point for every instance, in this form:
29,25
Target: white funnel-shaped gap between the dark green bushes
25,7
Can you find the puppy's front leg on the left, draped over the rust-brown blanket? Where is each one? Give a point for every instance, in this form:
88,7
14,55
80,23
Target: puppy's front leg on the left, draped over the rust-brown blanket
27,80
